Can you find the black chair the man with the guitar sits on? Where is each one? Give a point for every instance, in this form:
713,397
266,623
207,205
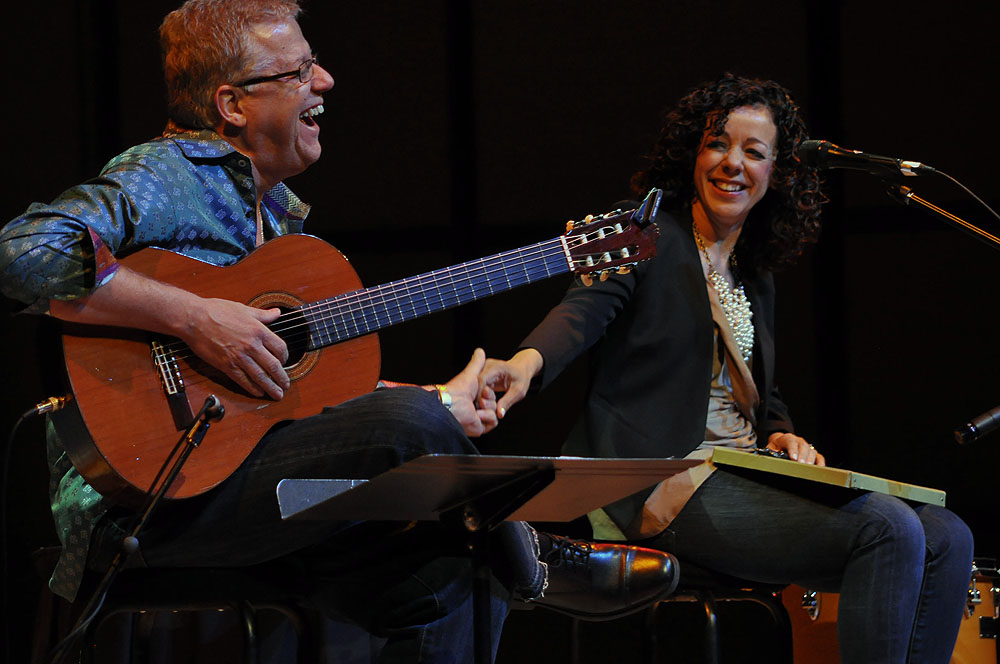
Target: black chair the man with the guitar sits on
143,592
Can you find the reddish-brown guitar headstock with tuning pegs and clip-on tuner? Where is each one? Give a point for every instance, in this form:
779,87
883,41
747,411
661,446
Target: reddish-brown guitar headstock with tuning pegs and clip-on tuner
615,241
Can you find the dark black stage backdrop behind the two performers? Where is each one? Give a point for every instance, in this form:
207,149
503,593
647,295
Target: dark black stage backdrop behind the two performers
458,129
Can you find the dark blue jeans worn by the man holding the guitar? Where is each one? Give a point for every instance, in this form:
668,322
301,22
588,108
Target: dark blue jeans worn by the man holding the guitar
411,585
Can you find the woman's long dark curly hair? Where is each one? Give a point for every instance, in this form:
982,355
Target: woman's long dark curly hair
787,219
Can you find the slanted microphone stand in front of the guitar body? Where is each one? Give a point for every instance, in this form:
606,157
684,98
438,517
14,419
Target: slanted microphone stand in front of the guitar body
212,410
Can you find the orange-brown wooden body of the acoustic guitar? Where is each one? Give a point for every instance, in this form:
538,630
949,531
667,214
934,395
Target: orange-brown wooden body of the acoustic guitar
120,400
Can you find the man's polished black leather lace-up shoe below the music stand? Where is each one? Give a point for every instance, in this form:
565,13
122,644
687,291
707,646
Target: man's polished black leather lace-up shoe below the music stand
603,581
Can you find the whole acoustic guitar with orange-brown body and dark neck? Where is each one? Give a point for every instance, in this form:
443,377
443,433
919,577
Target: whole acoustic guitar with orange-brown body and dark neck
134,392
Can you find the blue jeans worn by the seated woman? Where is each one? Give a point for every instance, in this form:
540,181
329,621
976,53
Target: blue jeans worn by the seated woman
902,571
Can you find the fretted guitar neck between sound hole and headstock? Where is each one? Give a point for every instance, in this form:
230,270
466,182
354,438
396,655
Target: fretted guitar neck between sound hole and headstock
368,310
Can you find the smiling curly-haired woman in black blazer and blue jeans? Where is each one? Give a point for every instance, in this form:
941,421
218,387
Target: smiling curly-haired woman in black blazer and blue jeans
684,362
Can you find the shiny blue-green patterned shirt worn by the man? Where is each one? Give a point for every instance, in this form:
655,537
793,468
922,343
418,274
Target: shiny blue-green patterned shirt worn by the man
189,192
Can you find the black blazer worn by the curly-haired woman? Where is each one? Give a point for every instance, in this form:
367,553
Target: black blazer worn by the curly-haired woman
652,330
